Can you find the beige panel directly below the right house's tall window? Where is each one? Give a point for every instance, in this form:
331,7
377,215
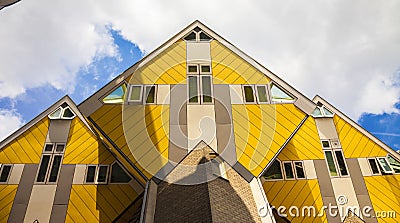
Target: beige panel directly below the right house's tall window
344,187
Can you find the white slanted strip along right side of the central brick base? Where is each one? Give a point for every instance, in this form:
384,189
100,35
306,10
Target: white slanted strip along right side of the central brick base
263,206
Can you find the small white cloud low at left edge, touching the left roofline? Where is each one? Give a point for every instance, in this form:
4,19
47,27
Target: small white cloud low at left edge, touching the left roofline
10,122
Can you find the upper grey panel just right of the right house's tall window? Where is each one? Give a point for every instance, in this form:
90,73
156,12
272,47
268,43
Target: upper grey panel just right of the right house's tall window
357,177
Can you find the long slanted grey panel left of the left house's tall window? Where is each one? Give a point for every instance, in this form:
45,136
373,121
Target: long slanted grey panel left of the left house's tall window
23,194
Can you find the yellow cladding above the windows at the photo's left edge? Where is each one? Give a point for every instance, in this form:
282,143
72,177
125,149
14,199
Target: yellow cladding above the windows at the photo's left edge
26,148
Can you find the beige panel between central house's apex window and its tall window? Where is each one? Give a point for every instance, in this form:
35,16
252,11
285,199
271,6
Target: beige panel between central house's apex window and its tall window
198,52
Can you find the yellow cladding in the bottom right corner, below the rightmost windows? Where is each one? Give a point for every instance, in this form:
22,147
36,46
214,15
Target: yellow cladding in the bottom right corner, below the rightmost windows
384,192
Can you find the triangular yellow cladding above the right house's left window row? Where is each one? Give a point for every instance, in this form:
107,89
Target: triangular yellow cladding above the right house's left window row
305,145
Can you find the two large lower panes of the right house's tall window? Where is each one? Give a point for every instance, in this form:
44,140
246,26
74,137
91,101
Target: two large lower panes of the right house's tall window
336,163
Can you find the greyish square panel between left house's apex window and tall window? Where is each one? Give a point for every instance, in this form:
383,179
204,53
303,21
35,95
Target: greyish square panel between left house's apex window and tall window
58,130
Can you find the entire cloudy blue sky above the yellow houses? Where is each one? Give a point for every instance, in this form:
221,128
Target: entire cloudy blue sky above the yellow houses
346,52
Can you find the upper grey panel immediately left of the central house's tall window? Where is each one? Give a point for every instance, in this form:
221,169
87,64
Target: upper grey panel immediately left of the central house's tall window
178,112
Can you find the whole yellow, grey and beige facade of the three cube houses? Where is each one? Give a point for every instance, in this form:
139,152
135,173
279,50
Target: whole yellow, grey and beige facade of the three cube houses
197,131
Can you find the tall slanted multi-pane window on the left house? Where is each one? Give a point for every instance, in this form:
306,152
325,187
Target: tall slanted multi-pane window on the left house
50,163
